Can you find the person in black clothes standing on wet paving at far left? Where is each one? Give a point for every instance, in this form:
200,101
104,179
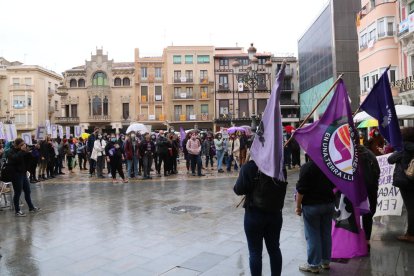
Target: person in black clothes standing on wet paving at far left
18,163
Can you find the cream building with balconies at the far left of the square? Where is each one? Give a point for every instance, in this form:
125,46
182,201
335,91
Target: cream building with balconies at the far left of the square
28,95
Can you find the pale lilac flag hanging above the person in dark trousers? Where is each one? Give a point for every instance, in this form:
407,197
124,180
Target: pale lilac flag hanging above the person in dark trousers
267,146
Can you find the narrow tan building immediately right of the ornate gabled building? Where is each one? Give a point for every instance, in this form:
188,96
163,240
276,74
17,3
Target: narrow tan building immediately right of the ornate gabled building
151,107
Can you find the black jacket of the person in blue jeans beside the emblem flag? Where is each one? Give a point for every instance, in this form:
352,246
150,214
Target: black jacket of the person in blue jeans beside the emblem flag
315,187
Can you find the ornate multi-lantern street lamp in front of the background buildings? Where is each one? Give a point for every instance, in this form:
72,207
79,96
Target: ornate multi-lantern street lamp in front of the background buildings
252,76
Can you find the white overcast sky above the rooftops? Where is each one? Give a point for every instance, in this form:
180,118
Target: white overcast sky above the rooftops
59,35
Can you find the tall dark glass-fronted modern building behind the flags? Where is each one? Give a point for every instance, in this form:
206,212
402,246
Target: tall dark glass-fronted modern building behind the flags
328,48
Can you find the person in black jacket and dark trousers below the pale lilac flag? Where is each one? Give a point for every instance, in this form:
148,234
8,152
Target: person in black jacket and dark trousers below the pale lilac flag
263,215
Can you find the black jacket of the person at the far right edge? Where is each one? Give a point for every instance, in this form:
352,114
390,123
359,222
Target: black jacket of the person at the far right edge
401,160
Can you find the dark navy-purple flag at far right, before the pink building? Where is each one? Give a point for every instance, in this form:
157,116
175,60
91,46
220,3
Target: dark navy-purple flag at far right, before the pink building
380,105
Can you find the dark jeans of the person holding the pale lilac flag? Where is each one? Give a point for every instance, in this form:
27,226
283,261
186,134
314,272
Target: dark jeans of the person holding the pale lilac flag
259,225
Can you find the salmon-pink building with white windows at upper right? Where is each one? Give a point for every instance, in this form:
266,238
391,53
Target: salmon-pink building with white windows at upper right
378,46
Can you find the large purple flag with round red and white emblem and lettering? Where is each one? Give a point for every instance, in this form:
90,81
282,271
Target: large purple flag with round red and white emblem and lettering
330,143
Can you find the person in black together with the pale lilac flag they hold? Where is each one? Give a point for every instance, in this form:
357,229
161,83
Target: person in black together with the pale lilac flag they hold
262,181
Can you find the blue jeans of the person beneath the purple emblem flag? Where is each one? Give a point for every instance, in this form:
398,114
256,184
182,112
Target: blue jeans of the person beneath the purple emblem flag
318,225
